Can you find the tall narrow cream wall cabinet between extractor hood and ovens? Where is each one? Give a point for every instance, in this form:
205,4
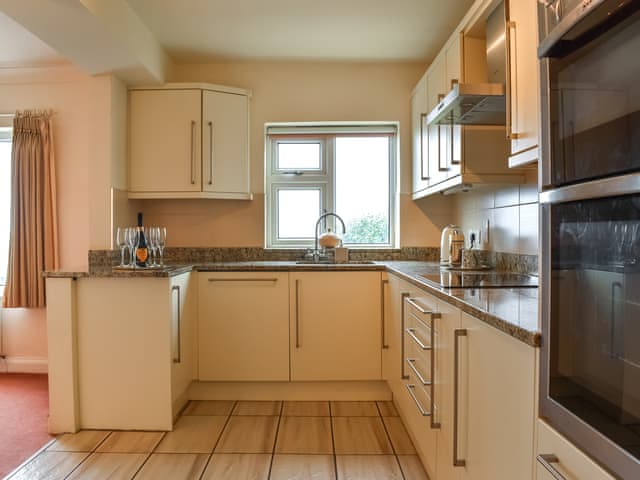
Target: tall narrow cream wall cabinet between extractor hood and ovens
523,83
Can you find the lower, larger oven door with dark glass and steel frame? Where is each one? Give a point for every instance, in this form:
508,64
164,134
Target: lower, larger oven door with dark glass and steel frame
590,311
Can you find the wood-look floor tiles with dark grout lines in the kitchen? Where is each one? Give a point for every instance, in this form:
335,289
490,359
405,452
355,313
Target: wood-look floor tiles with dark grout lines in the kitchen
216,440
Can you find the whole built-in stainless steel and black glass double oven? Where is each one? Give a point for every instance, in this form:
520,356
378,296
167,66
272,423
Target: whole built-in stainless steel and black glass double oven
590,227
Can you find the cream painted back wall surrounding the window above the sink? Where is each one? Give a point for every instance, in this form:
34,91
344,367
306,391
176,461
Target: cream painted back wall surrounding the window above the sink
289,92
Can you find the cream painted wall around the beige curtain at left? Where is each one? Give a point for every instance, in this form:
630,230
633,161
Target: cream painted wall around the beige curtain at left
83,149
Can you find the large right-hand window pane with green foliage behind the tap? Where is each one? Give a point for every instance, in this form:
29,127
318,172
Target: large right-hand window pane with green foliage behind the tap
362,188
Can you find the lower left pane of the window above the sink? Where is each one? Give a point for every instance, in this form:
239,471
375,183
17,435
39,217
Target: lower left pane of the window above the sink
298,211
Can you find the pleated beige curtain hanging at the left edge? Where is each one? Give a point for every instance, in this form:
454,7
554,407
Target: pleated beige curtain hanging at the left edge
33,246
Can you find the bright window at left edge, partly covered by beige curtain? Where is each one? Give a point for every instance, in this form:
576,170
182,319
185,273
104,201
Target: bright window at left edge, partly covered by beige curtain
5,201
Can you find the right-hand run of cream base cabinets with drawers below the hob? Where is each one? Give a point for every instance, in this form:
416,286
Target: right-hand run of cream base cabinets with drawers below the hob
480,424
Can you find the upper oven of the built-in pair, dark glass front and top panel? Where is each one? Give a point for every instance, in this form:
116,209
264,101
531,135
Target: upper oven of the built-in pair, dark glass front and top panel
589,91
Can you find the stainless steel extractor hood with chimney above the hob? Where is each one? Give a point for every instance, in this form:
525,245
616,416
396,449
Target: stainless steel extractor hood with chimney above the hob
479,103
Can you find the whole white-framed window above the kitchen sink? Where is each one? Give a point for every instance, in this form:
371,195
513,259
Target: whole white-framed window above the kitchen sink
345,169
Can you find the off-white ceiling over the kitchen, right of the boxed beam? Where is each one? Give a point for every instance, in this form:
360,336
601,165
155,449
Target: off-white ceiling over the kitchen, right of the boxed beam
201,31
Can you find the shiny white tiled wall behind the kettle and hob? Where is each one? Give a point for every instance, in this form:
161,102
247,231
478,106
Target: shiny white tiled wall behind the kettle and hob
512,212
